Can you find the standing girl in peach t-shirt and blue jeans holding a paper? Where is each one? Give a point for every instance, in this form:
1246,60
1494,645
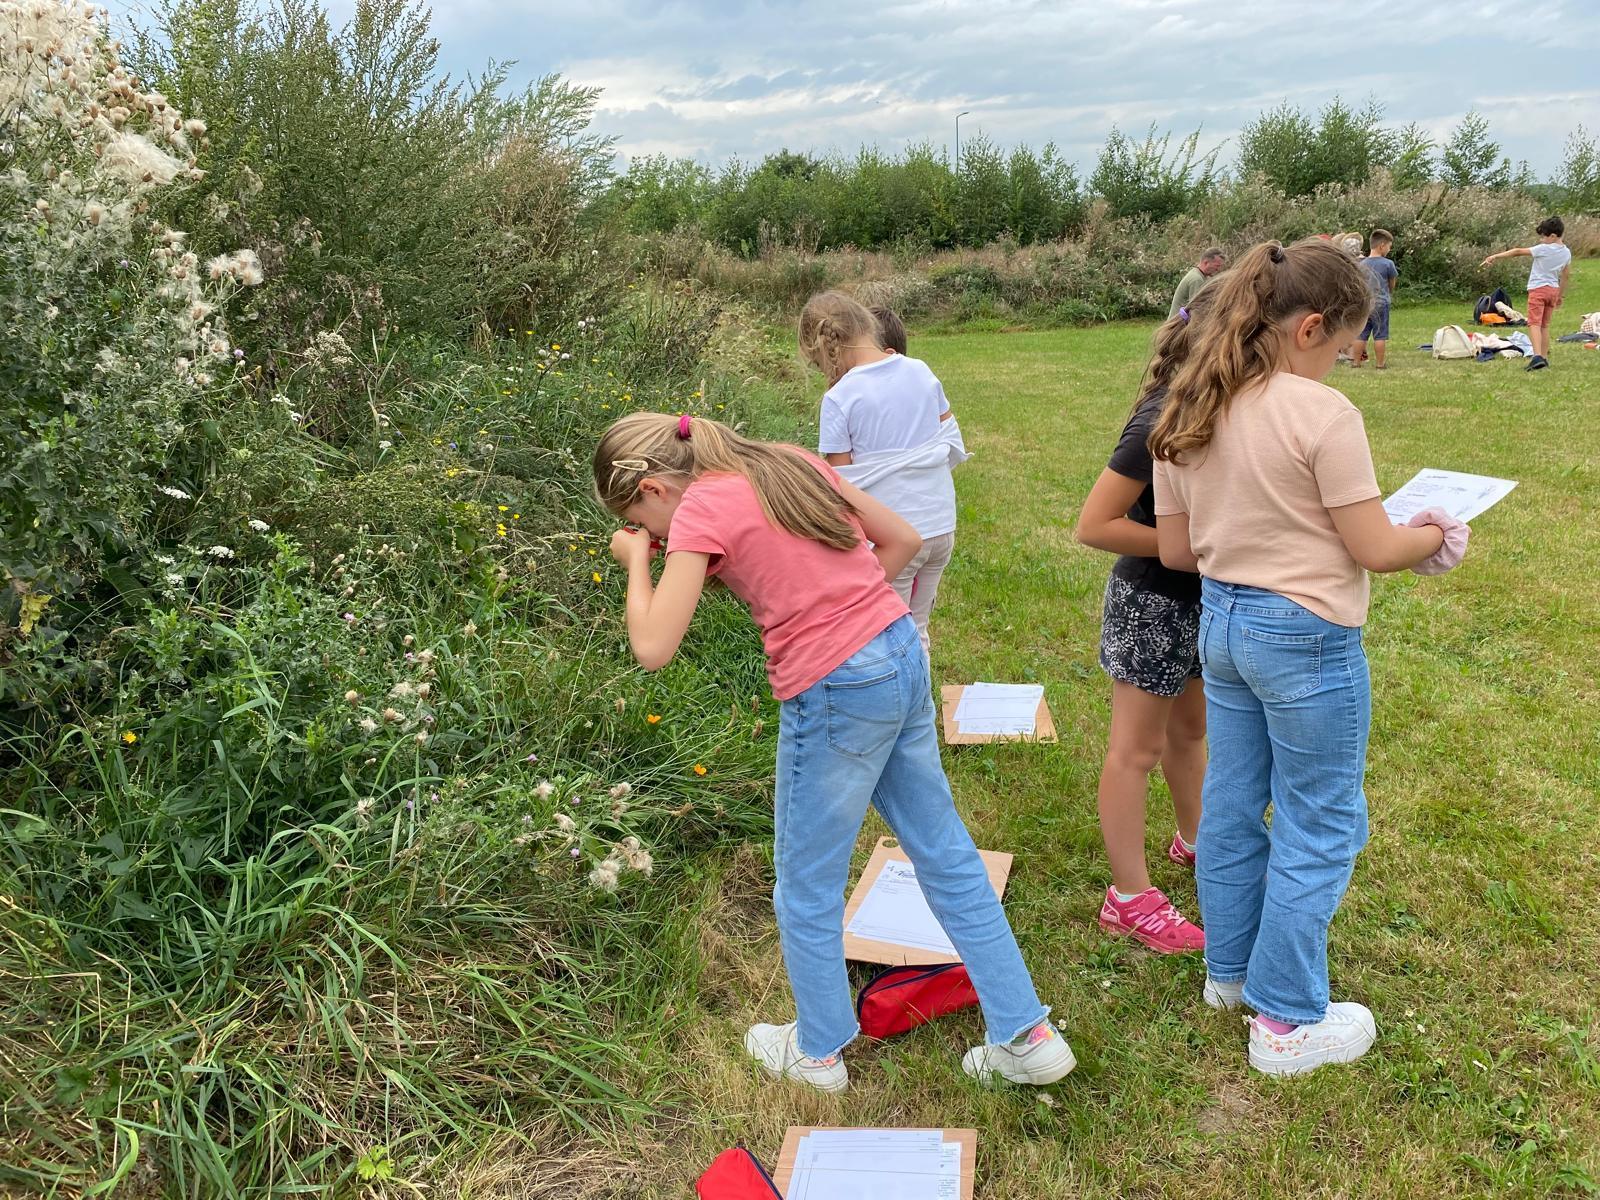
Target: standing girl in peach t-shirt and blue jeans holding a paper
1265,484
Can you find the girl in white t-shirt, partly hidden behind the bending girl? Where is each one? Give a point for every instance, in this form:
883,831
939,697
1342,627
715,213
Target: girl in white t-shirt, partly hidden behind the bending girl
889,430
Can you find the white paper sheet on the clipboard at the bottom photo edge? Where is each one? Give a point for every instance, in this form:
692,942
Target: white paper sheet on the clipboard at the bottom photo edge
876,1166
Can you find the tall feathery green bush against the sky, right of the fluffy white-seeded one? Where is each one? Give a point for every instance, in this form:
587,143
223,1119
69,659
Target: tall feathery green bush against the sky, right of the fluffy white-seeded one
386,194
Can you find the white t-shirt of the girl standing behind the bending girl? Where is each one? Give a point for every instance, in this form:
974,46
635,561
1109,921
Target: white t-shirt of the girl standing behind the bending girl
894,404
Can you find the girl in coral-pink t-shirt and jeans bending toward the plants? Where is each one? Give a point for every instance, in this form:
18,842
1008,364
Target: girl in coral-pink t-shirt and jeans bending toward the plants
814,556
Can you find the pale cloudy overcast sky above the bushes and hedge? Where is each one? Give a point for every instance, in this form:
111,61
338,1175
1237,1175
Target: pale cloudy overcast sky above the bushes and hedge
743,79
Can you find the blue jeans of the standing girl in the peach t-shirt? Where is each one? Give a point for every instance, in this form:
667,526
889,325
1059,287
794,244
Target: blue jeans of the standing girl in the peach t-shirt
1289,706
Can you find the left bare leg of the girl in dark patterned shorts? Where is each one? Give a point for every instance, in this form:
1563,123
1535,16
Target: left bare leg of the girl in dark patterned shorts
1138,745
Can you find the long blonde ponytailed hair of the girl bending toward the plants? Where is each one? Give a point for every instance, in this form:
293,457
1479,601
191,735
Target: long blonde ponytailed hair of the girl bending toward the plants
793,492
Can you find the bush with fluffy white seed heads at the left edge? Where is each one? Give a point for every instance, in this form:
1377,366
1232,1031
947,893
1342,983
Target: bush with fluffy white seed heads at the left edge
113,351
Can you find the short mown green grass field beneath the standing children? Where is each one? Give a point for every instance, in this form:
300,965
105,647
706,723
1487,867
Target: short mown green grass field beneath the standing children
1471,924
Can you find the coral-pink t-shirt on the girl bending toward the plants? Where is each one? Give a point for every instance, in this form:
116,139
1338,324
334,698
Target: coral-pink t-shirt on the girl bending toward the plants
815,606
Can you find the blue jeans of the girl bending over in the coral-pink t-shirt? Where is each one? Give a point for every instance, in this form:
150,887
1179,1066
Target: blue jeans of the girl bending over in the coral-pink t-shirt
865,735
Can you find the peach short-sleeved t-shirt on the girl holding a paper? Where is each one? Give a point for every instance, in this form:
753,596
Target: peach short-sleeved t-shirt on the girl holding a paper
1258,497
